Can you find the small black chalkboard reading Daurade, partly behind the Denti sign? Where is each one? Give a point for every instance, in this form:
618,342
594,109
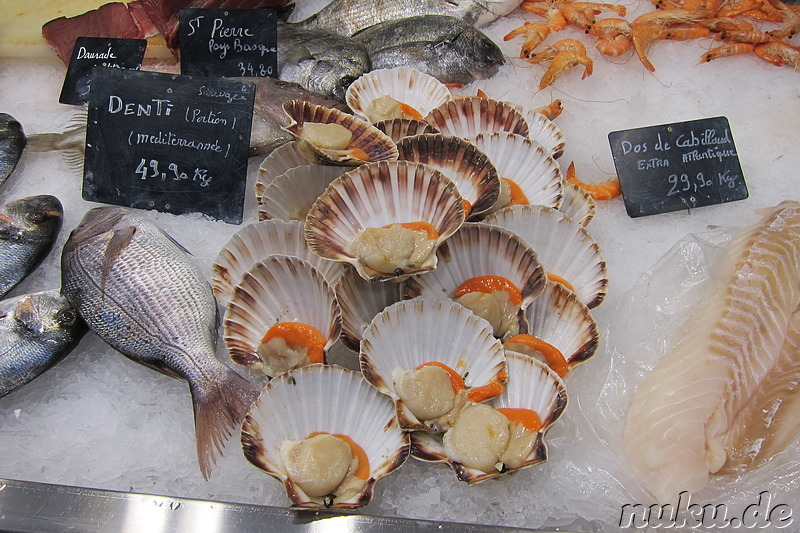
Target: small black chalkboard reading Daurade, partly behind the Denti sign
90,52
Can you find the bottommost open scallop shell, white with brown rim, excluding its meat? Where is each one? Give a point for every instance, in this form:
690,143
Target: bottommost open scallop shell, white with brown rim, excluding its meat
326,399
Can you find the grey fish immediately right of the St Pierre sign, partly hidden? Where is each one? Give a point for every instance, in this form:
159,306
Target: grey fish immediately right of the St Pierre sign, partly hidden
319,60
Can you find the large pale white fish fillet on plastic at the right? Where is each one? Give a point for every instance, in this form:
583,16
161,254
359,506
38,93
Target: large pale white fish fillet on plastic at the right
685,410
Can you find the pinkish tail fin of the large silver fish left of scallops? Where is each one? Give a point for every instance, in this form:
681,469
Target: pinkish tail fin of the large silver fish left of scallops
218,408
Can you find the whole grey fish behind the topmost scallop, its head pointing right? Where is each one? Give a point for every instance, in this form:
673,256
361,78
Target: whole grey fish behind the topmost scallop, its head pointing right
444,47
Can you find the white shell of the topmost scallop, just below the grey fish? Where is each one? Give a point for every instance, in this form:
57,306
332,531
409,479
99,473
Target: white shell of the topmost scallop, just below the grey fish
410,86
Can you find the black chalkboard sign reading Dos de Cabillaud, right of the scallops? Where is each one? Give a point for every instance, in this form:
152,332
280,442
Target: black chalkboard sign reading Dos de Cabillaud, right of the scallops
677,166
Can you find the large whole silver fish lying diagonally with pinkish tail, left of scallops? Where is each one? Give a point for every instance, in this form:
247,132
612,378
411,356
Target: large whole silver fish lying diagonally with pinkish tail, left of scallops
140,292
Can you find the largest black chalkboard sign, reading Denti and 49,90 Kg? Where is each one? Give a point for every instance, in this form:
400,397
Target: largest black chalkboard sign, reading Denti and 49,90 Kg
168,142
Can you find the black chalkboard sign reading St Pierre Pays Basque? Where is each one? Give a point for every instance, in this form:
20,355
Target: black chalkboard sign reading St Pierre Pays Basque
229,42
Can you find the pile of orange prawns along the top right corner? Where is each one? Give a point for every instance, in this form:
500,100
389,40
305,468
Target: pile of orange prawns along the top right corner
737,24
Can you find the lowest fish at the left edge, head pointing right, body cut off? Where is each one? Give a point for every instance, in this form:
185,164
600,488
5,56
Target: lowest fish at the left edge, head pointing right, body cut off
36,331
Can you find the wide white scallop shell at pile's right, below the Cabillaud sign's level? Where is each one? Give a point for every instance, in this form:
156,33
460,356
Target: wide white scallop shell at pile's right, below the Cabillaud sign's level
564,247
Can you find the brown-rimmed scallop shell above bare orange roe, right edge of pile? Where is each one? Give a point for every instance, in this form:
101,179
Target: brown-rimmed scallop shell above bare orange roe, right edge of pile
560,319
